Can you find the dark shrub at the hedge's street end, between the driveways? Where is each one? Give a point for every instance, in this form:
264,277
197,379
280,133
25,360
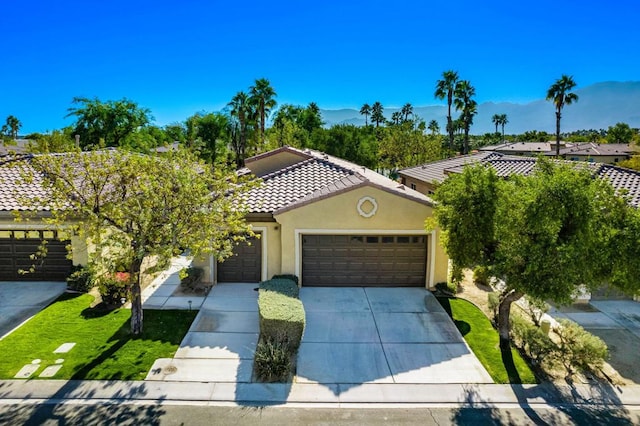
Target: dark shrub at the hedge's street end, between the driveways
272,360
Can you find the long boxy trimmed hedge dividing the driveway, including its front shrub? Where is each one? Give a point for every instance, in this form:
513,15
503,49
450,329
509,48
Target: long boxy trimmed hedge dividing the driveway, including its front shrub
282,321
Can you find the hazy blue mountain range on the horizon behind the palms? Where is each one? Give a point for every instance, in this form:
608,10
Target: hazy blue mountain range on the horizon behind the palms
599,106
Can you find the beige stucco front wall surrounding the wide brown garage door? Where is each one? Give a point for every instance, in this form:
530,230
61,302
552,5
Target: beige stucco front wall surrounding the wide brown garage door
339,214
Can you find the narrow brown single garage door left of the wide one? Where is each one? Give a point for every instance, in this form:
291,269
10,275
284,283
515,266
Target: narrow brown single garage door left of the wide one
245,266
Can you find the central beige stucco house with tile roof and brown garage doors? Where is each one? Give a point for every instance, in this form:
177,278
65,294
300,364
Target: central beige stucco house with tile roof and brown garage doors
333,223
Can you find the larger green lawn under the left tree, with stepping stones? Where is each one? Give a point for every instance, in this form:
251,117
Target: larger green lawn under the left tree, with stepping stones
104,348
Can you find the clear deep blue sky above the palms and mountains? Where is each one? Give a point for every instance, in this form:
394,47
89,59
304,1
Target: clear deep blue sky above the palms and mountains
180,57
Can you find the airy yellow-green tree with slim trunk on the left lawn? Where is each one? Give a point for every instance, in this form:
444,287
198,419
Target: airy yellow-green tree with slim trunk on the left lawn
132,206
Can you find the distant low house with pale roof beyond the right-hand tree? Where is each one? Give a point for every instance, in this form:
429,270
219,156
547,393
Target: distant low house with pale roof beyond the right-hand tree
588,151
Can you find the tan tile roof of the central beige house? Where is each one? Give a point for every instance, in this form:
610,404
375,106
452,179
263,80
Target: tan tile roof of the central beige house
315,177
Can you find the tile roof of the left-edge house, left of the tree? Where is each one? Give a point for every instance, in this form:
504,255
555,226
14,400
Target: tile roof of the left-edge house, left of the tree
12,189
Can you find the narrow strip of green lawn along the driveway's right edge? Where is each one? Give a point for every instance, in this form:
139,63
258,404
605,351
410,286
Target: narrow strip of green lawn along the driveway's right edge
484,342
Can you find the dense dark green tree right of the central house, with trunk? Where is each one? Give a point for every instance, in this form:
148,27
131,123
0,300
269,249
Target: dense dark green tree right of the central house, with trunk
545,235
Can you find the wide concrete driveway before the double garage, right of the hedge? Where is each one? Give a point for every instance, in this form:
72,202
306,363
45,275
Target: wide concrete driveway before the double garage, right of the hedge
382,335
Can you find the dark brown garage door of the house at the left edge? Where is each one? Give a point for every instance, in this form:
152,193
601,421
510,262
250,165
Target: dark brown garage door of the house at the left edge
16,248
